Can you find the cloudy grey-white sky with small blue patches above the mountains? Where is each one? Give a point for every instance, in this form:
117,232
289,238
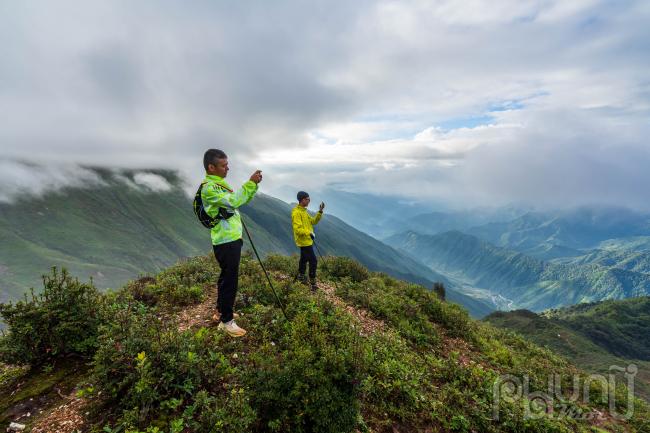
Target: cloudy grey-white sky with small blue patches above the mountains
476,102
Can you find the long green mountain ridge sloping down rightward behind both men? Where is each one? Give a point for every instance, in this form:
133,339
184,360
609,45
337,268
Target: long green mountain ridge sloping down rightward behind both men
118,229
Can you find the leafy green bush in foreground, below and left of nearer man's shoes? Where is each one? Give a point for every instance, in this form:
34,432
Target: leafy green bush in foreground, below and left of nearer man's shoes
159,377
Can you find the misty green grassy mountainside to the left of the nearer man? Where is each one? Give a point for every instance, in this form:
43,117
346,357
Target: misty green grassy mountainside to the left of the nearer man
99,232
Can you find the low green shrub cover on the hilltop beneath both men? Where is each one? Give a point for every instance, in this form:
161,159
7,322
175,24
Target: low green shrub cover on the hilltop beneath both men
432,368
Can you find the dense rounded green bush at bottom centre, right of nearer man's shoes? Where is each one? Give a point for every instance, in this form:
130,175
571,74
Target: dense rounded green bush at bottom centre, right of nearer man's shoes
305,381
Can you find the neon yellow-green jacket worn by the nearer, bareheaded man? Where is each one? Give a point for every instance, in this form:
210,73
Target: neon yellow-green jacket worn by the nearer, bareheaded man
217,193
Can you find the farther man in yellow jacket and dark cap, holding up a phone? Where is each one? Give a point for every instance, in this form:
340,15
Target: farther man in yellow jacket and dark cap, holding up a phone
303,233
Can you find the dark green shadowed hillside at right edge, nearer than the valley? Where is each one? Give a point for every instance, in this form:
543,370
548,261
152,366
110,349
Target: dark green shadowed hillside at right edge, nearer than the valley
593,336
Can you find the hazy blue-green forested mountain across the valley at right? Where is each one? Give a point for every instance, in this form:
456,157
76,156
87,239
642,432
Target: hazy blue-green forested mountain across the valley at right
526,281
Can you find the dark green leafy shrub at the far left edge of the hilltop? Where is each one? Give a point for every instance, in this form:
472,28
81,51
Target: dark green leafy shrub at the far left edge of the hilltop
62,320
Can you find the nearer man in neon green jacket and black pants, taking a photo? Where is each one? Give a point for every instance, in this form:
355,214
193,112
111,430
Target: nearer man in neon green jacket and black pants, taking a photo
218,196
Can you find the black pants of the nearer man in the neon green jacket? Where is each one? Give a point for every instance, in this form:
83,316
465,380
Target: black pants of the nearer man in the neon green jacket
228,256
